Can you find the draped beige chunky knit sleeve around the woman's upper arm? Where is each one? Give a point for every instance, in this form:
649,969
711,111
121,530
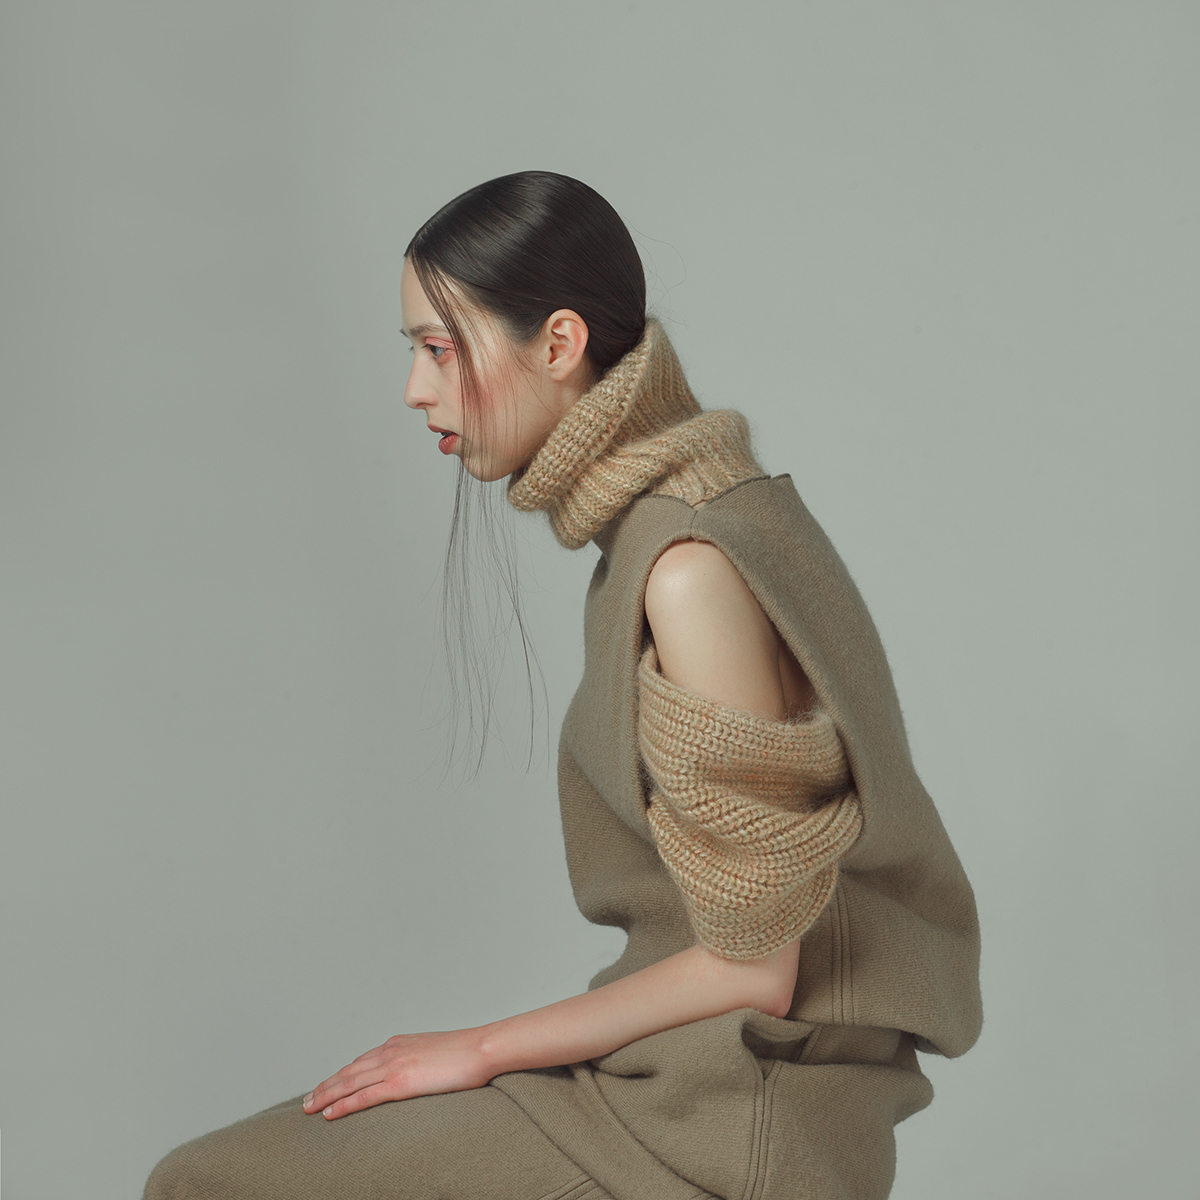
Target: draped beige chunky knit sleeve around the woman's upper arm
751,815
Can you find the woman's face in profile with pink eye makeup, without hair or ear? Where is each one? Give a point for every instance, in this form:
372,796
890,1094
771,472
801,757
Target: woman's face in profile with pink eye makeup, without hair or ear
521,405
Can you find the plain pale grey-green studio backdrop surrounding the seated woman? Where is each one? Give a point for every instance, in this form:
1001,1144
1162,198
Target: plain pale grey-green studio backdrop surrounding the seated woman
944,257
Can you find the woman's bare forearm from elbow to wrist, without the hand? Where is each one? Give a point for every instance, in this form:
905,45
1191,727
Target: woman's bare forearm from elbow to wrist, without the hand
687,987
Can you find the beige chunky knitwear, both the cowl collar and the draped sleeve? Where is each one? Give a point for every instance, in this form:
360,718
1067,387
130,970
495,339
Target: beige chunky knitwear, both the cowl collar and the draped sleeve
749,815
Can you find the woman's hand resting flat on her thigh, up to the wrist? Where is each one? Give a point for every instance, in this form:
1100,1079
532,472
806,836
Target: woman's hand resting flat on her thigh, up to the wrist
405,1066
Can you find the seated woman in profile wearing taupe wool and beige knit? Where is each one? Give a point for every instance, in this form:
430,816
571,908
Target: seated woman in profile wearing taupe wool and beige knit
736,788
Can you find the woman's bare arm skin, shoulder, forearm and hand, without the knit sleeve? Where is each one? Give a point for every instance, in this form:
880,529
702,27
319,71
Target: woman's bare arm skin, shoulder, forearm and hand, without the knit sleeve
712,638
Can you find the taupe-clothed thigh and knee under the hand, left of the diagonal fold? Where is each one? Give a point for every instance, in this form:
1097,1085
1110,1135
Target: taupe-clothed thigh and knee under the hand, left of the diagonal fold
476,1145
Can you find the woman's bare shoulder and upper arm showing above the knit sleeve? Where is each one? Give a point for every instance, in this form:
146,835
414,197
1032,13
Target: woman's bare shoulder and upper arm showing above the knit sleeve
711,633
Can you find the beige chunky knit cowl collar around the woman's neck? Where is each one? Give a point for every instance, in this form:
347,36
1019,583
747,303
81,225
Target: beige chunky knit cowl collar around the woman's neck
638,430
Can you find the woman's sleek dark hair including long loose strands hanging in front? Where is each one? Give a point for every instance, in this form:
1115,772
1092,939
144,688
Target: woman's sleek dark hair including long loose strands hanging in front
518,249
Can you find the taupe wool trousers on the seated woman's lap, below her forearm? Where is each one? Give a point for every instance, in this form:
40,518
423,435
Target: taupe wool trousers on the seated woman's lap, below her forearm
707,1120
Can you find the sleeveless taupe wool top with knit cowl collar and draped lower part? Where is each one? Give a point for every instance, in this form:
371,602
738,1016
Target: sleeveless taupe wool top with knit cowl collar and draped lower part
740,1105
